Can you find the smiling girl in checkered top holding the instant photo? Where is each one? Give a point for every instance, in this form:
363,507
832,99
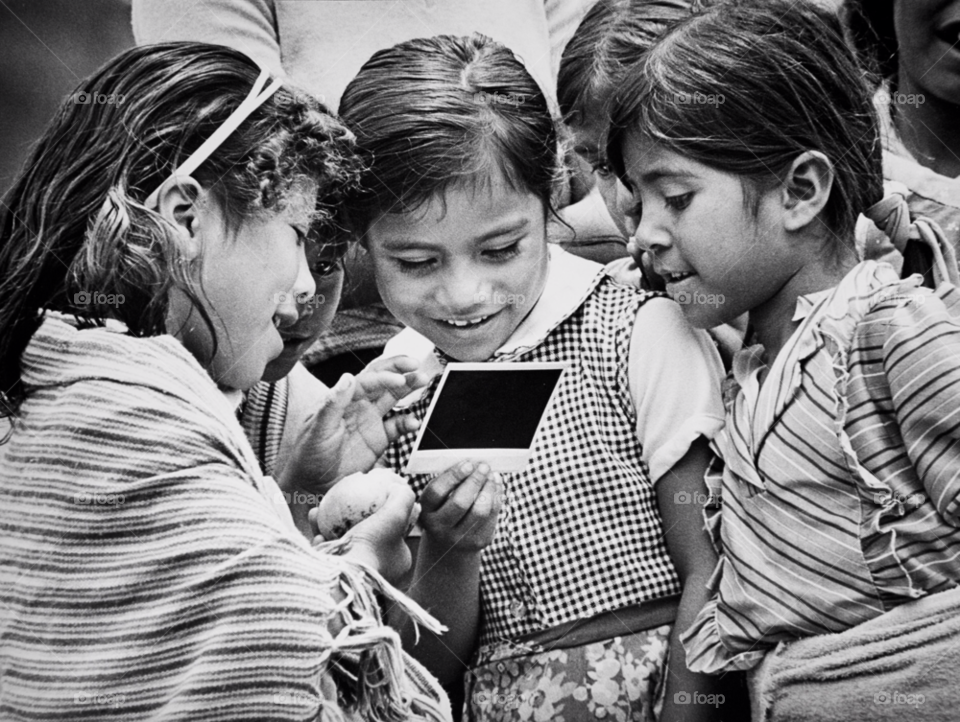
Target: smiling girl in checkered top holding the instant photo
562,607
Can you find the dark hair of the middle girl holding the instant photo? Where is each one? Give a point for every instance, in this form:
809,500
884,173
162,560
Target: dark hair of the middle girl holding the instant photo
431,112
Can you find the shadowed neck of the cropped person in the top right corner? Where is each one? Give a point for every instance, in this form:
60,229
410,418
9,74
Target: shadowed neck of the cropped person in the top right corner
930,130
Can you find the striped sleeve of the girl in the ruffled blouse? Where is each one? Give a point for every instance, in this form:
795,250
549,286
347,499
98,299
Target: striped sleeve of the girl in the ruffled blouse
921,349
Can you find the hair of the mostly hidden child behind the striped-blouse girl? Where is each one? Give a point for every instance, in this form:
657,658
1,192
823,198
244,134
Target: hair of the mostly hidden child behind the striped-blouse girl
613,35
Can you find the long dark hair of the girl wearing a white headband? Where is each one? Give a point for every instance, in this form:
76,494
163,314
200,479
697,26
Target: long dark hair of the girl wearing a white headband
74,221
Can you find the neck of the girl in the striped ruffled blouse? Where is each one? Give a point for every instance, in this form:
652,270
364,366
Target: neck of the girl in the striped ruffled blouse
773,322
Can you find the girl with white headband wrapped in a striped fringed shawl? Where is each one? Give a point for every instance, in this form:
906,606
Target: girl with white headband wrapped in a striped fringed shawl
150,255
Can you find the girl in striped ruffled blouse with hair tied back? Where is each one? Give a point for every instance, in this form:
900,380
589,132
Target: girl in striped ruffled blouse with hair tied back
840,447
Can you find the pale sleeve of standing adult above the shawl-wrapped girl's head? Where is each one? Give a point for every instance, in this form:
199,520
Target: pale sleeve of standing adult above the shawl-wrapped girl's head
246,25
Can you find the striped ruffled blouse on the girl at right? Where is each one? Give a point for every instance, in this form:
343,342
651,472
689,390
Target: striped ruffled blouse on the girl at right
841,471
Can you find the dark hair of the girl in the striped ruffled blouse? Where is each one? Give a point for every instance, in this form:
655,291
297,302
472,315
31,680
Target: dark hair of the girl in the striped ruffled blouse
782,81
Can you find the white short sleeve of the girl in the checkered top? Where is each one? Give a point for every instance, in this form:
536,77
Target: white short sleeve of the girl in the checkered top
674,373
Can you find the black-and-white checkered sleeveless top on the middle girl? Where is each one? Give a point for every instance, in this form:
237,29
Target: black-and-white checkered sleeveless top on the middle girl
579,532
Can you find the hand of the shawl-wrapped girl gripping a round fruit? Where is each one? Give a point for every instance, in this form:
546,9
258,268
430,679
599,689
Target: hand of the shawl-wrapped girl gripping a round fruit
380,540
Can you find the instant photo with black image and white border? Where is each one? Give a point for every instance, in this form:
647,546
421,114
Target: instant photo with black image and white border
485,412
